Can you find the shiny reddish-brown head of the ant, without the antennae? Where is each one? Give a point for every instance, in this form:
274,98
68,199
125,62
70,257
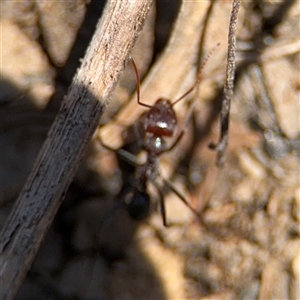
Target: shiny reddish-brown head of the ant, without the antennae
161,119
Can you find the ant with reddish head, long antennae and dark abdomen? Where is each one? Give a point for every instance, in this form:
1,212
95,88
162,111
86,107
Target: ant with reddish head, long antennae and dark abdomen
159,124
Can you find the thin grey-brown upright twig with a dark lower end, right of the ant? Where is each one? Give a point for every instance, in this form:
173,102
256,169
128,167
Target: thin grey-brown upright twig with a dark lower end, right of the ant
228,86
